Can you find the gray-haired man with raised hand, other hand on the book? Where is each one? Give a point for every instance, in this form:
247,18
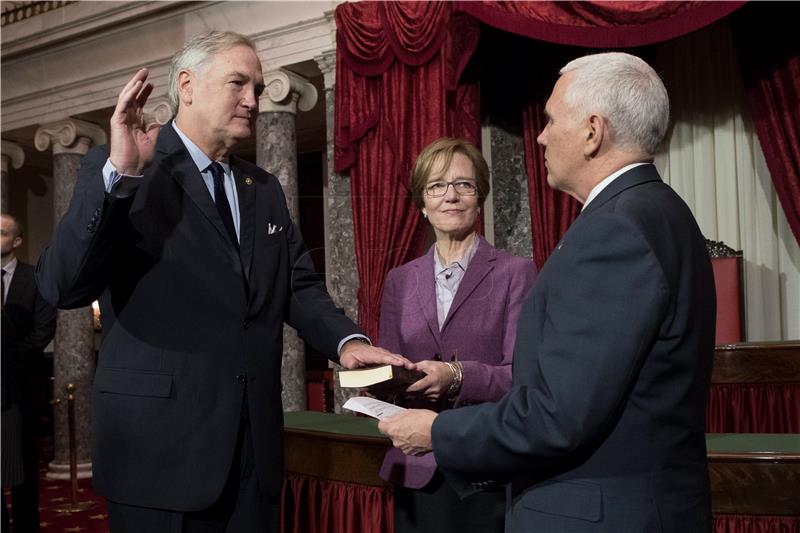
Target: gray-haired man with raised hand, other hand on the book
197,265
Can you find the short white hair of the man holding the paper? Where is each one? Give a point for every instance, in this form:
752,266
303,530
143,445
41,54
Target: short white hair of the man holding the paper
626,91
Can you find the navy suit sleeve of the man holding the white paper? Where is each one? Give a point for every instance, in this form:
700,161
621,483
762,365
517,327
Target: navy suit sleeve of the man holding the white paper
603,310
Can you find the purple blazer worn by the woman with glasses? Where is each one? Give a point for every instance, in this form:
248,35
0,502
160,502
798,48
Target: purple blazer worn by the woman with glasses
479,331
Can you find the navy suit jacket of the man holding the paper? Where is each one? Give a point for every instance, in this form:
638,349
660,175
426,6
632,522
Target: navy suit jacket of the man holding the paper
603,428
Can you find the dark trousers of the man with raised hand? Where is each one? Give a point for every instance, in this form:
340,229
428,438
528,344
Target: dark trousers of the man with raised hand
241,508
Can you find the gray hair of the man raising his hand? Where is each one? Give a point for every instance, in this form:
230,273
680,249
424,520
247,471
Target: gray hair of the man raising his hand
196,52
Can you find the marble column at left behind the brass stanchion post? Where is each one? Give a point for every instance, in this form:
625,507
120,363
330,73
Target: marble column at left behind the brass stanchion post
73,356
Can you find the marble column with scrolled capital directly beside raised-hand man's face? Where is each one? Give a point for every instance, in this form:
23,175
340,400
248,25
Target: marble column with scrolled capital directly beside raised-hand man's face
276,151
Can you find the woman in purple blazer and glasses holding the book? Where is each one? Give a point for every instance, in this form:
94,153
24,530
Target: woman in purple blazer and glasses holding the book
454,312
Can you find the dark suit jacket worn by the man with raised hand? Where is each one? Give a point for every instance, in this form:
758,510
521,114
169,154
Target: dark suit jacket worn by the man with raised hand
187,322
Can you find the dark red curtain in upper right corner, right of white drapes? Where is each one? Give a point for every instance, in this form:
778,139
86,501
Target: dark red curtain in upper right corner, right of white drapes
770,63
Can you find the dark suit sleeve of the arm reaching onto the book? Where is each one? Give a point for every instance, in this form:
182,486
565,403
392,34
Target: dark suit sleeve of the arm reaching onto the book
311,310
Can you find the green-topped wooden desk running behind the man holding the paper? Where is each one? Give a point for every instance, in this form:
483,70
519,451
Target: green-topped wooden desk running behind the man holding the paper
752,474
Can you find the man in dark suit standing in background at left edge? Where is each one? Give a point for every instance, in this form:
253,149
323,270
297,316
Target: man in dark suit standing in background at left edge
28,325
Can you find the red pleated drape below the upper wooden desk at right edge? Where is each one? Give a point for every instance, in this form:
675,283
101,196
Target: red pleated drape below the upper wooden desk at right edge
754,408
